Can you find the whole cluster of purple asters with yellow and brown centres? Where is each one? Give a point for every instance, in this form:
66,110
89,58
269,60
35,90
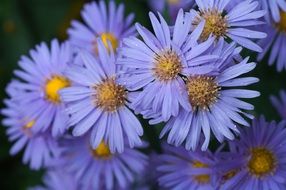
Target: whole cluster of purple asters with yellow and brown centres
76,107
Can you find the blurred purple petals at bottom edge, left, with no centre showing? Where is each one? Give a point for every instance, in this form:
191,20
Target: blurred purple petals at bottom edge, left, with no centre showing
58,179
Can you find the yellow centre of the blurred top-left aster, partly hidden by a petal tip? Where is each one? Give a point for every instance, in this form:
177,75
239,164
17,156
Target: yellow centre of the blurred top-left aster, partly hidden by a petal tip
107,38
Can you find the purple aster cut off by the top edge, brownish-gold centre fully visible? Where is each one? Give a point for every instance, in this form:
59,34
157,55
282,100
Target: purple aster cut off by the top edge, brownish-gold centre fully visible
231,23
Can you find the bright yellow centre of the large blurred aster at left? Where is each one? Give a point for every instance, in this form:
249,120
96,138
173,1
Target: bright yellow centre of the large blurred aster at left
53,86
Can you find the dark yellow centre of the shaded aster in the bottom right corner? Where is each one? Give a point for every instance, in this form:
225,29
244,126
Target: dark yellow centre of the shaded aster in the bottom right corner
262,162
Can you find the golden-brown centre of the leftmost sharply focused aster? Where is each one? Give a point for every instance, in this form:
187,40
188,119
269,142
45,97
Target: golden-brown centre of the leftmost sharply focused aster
109,95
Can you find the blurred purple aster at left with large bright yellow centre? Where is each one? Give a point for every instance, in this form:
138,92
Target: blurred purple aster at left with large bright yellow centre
41,79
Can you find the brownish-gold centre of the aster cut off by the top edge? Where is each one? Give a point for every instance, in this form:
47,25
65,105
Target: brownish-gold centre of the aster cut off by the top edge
216,24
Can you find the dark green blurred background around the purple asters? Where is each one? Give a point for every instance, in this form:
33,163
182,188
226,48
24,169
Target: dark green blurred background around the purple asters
25,23
